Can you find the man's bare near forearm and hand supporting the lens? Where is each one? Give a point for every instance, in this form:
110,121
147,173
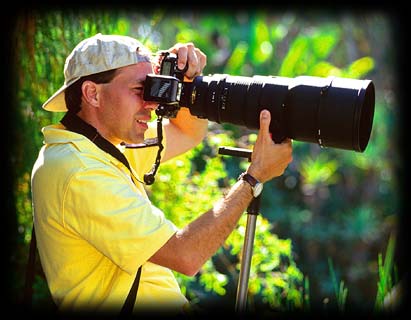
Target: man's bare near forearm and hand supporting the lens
189,248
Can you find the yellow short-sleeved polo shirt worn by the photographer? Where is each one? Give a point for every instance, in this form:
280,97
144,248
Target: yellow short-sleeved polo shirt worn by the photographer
95,227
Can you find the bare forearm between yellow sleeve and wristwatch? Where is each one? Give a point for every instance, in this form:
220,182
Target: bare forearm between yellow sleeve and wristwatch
191,247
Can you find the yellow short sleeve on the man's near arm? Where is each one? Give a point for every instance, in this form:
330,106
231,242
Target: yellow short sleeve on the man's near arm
106,209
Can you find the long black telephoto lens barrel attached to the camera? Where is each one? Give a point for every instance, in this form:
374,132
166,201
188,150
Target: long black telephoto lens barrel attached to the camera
332,112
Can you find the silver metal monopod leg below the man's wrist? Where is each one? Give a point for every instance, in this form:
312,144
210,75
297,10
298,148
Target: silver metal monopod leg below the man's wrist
242,288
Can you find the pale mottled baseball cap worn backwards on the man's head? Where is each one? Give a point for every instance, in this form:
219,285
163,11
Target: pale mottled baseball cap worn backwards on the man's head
97,54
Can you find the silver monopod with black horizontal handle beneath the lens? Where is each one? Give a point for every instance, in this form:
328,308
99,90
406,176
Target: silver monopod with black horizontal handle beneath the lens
252,212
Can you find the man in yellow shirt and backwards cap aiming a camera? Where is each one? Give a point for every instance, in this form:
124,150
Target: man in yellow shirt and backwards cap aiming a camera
94,224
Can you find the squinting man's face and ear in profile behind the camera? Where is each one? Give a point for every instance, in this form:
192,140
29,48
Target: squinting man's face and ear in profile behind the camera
123,113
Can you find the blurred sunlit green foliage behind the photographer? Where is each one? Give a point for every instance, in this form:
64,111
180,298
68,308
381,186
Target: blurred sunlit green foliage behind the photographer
327,237
